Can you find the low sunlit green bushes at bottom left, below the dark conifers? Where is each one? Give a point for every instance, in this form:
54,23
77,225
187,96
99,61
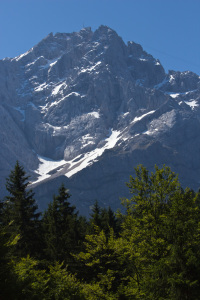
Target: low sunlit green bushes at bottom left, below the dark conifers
56,283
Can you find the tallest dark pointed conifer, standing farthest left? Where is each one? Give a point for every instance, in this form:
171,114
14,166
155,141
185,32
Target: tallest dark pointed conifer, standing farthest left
20,210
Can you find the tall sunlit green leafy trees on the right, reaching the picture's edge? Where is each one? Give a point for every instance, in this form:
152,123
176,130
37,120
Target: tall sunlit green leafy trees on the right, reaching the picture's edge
162,225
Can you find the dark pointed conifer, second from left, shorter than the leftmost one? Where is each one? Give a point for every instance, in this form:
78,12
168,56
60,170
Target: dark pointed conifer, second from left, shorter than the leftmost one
60,226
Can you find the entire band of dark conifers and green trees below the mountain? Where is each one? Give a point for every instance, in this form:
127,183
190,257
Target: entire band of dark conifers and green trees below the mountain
151,251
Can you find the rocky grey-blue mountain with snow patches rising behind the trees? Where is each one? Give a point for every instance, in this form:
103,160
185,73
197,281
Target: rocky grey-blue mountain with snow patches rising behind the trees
84,108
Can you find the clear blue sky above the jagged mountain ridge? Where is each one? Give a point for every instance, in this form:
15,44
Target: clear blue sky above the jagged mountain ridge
167,29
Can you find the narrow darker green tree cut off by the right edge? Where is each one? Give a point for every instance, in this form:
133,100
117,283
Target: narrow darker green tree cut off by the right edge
183,238
